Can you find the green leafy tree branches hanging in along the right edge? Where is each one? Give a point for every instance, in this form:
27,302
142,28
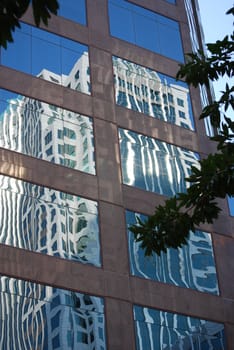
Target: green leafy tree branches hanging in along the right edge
214,178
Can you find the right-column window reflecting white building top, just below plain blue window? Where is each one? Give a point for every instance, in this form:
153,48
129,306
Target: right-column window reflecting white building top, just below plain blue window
144,90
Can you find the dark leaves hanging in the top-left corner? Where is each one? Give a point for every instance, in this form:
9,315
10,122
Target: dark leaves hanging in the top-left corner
12,10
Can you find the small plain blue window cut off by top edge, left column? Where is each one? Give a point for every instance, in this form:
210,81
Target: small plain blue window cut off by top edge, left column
74,10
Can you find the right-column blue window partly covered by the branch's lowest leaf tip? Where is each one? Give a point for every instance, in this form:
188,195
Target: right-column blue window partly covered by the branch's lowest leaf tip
191,266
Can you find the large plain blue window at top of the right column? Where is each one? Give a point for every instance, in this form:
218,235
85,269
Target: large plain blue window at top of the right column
145,28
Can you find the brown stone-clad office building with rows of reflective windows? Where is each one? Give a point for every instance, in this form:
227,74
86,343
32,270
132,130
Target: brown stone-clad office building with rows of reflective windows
94,132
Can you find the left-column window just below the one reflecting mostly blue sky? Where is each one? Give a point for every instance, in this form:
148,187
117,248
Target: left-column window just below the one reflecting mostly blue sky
46,131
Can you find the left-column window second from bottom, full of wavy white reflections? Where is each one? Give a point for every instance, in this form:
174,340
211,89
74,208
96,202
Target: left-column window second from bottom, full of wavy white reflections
48,221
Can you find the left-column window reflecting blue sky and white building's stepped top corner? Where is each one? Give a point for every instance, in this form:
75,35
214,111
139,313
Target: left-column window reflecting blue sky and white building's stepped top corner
48,56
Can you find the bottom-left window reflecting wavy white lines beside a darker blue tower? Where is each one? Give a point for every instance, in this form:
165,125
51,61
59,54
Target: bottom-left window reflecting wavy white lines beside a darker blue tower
34,316
